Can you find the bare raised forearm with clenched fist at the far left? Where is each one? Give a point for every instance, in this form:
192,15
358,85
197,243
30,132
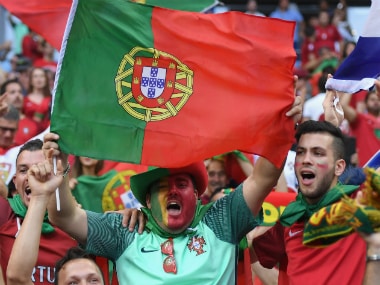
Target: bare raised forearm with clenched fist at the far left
26,247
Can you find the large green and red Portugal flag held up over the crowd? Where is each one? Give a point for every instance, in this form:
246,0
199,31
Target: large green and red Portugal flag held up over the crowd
163,87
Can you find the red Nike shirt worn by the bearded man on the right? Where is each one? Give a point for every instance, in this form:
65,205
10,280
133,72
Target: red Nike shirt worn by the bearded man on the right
340,263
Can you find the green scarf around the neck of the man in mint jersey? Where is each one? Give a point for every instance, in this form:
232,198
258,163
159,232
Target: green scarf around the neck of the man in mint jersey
152,225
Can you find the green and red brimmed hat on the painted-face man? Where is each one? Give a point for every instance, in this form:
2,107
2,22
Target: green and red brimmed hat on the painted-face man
140,183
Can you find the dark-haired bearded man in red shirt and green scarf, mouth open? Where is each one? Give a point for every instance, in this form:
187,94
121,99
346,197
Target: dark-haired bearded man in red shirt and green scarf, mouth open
318,164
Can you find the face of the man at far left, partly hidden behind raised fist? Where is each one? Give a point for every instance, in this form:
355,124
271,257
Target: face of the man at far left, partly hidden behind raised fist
24,161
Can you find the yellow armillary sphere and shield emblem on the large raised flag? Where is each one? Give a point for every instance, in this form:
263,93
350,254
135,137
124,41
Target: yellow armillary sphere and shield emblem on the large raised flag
152,85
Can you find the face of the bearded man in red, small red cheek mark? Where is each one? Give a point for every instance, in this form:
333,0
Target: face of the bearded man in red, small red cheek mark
316,167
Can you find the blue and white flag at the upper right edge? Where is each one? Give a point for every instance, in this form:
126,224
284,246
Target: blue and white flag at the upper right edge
361,68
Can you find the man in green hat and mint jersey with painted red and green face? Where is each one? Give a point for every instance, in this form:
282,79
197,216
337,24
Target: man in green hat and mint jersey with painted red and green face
184,242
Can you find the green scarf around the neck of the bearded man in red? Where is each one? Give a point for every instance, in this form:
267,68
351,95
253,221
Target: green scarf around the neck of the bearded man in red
301,210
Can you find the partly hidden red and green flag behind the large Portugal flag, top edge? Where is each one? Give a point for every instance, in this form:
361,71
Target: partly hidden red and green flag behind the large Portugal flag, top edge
48,17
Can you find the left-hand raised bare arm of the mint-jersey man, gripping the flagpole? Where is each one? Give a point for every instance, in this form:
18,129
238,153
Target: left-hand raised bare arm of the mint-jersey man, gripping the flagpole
70,218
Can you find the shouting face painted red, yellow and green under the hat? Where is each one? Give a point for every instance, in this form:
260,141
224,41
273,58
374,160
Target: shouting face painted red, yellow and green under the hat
173,201
